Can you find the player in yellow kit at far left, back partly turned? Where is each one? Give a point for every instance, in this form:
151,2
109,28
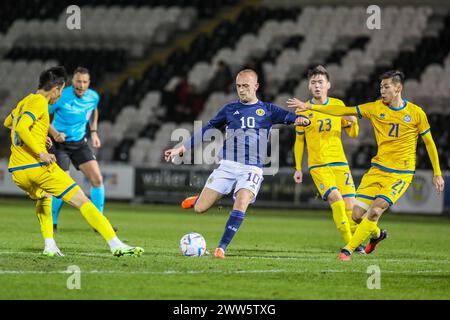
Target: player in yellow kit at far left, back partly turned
35,171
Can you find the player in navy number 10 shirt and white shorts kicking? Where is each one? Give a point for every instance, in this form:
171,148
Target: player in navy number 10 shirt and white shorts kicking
248,121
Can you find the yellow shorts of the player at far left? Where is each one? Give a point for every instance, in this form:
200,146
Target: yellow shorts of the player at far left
37,181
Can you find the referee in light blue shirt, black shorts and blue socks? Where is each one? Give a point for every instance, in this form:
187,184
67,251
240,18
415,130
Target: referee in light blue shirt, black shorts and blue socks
71,113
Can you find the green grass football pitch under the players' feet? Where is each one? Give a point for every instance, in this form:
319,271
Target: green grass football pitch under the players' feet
276,254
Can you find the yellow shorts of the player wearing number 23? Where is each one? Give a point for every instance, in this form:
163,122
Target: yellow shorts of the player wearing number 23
329,178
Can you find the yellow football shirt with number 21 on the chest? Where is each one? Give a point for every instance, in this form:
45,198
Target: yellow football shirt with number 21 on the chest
396,133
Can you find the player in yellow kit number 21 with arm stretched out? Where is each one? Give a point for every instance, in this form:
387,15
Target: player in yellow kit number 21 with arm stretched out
397,124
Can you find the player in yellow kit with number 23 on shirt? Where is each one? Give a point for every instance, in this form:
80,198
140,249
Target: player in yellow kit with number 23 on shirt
327,162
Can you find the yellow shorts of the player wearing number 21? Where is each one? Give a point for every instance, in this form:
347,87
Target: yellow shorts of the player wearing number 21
378,183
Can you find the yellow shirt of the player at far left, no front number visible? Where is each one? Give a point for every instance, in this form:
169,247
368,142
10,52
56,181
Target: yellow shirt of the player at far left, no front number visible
34,106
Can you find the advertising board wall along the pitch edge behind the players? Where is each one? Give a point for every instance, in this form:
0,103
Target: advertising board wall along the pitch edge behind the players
170,184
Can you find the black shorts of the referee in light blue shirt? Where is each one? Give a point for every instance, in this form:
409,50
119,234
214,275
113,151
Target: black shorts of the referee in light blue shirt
77,152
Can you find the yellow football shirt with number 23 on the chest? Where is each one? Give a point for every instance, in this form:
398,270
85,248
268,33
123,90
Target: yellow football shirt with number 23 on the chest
323,136
